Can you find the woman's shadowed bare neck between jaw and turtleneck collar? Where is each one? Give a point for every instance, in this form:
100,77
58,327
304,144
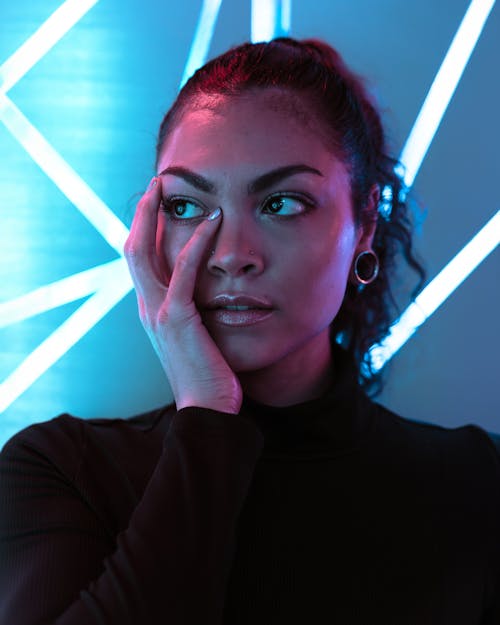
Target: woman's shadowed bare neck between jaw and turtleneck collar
296,378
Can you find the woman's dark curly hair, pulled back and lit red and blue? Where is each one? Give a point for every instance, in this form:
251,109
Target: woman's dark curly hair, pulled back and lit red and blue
317,72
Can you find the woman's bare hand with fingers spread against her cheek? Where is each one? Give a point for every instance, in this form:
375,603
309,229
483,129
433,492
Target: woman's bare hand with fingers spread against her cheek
195,367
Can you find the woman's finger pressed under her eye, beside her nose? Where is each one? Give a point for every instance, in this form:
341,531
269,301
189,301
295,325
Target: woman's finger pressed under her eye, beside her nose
183,280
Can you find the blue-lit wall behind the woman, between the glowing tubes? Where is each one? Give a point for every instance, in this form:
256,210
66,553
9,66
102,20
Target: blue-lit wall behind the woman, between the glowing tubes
98,97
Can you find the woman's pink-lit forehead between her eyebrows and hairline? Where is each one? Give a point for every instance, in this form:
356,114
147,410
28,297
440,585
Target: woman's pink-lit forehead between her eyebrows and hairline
258,125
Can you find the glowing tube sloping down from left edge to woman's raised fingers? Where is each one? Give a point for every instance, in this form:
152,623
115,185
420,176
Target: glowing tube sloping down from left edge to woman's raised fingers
69,182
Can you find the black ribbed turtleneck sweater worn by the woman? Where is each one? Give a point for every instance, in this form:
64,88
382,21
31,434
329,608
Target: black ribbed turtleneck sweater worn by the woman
331,511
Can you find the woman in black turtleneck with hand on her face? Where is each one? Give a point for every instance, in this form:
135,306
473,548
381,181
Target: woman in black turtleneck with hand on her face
273,490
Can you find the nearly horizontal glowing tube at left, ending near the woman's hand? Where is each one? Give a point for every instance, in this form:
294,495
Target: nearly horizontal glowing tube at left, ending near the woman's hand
58,293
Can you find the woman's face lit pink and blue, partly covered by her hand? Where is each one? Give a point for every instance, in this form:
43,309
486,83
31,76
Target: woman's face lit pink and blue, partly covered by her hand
287,235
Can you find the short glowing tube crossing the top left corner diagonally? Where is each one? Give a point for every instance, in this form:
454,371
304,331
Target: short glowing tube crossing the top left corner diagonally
49,33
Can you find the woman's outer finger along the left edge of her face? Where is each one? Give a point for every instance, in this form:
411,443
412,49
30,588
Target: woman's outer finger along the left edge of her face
140,245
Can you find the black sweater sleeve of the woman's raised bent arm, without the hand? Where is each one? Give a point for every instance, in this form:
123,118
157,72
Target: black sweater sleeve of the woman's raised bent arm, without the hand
170,565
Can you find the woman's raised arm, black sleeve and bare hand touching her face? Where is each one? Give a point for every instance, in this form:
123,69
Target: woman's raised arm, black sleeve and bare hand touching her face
171,563
